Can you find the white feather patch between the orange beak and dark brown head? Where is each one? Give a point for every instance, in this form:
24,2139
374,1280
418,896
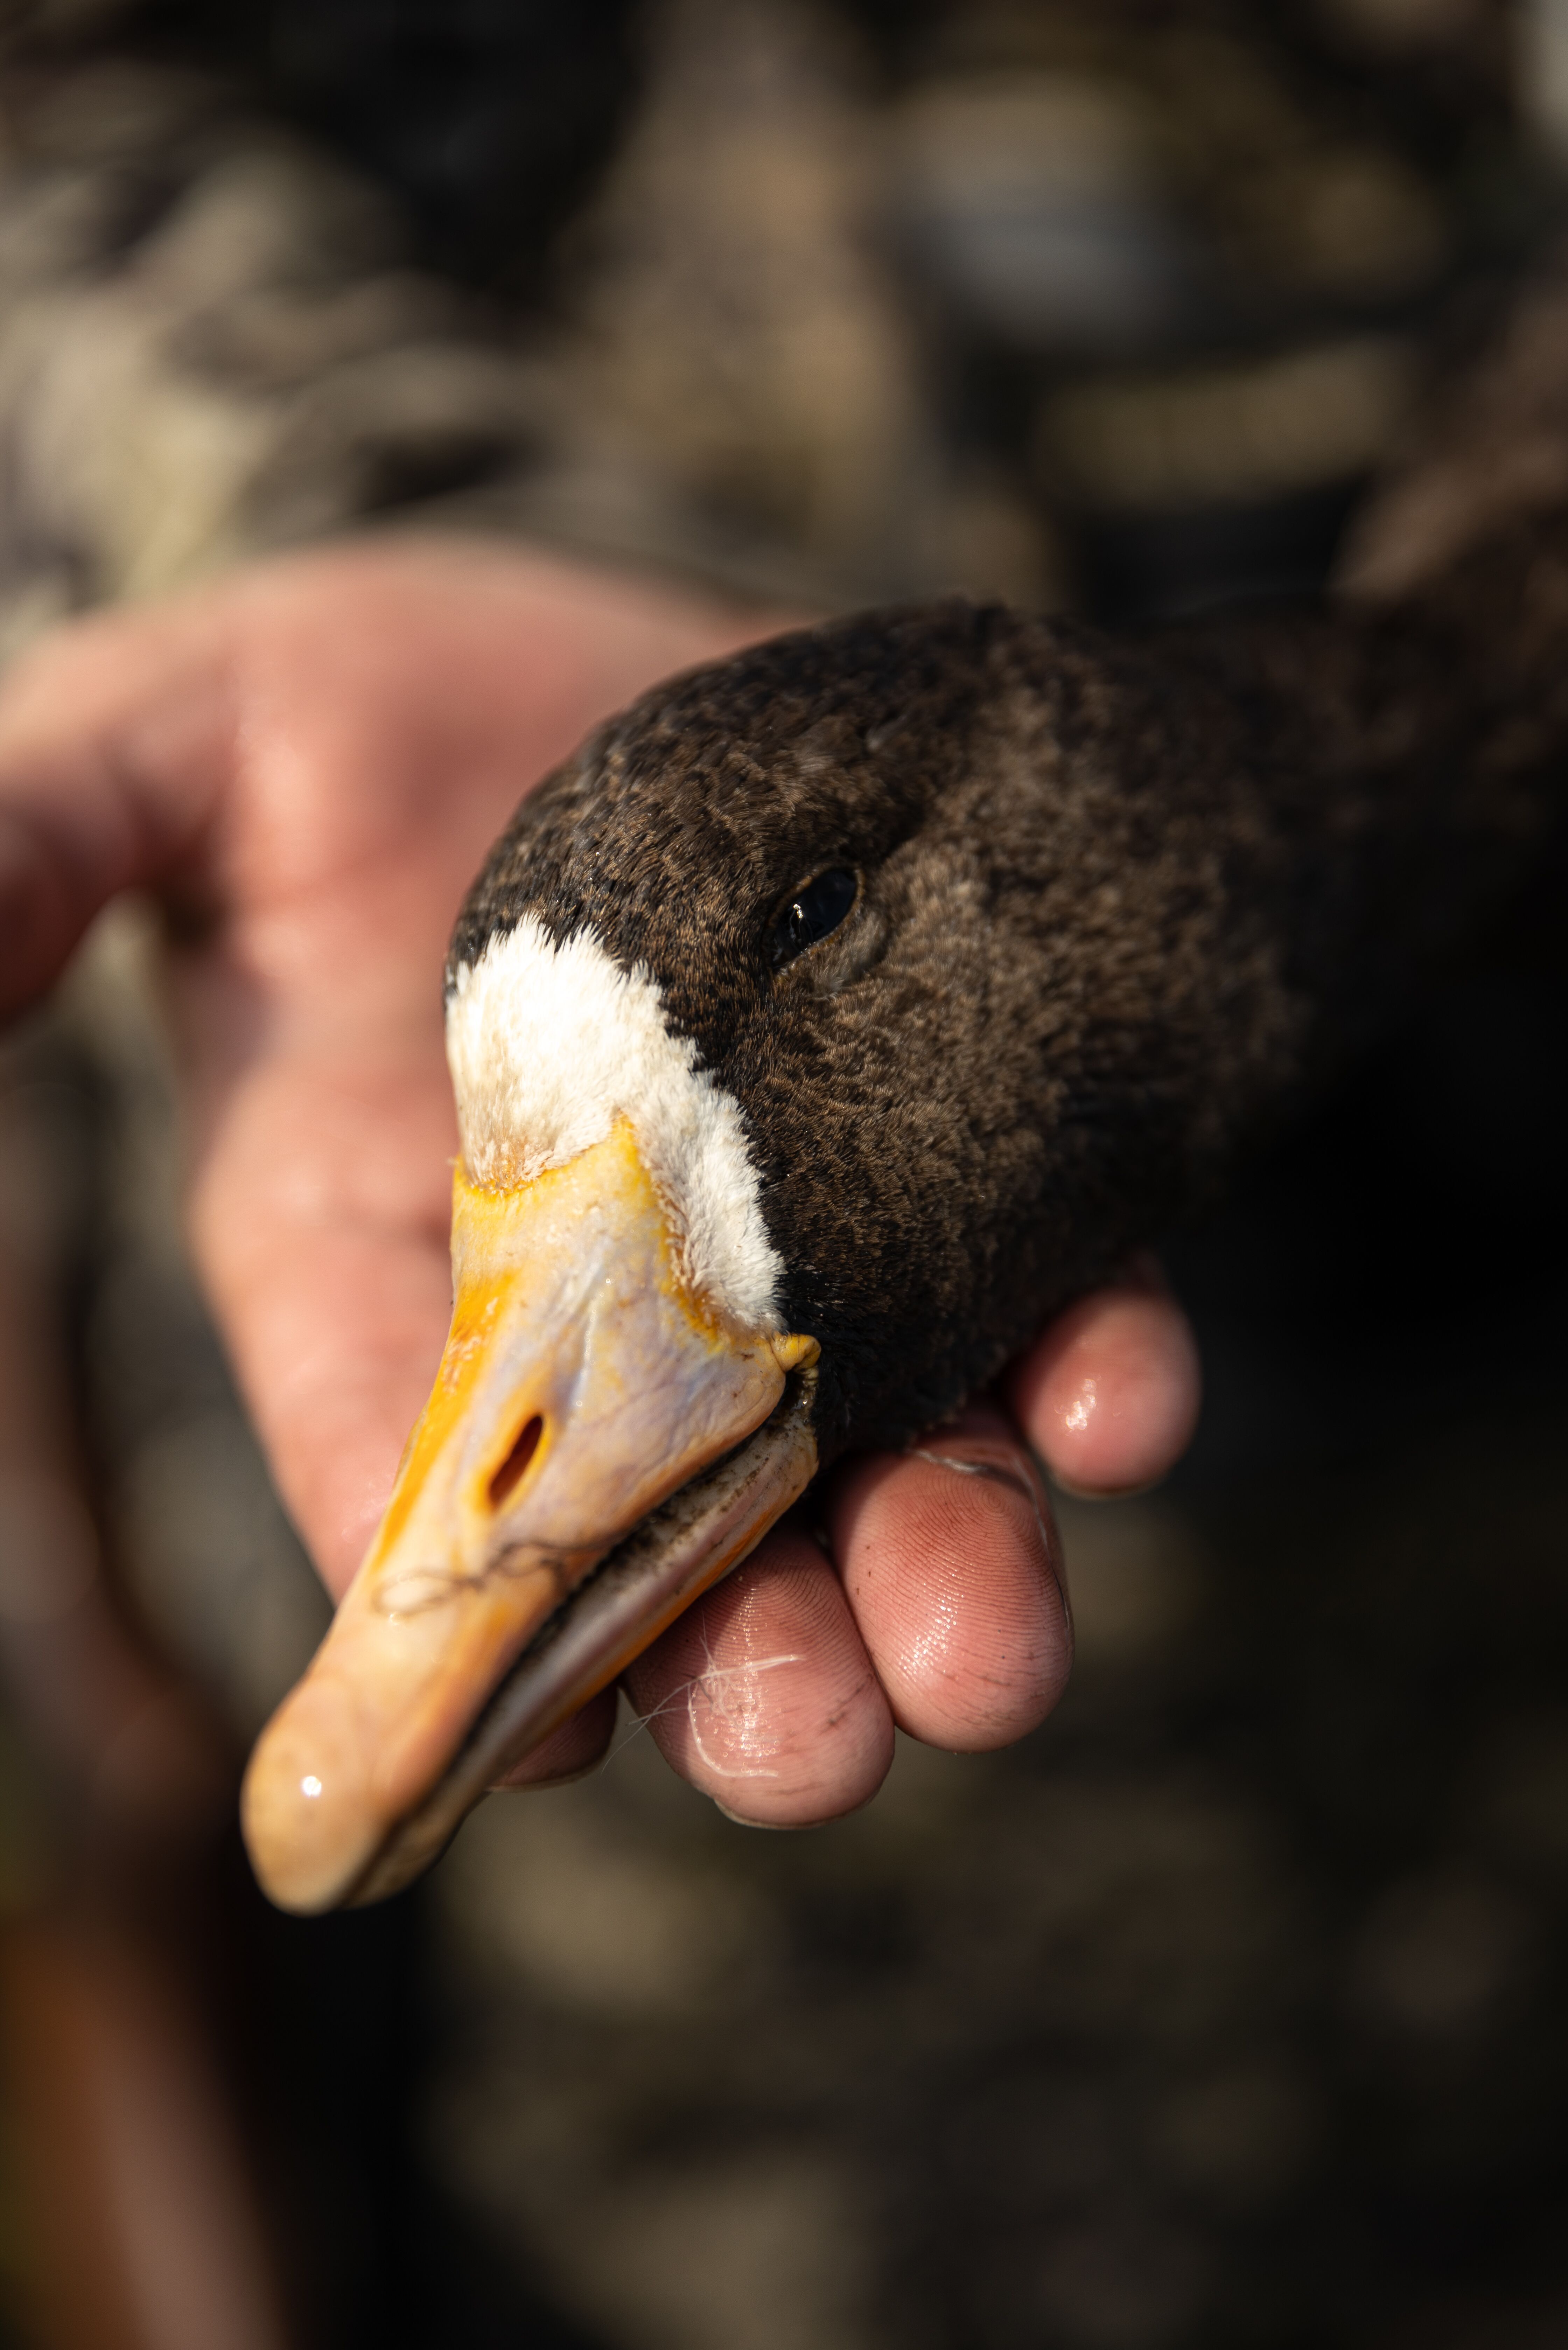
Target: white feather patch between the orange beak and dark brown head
551,1045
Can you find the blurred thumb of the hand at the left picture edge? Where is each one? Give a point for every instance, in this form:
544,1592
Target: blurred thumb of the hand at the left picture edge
114,739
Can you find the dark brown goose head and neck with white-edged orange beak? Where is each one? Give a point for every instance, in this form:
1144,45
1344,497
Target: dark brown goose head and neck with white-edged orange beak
836,1016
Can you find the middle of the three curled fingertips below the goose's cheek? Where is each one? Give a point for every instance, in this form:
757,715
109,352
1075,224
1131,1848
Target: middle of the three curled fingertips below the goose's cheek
951,1569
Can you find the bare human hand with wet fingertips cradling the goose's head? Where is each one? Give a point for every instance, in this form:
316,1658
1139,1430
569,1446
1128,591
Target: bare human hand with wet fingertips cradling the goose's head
307,765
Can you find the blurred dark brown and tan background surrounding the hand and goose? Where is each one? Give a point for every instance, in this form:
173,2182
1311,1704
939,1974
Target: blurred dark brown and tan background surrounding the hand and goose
1231,2008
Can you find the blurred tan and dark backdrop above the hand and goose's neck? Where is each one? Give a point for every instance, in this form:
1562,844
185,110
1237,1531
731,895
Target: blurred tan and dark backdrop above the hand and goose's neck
824,304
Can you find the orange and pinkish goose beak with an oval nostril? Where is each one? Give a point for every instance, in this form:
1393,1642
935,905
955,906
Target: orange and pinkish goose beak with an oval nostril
598,1449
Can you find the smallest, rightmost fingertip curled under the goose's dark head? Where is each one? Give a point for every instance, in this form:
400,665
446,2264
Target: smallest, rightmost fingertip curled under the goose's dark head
1111,1395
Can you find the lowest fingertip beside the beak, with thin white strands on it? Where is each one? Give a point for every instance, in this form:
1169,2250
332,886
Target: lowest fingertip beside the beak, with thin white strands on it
763,1696
